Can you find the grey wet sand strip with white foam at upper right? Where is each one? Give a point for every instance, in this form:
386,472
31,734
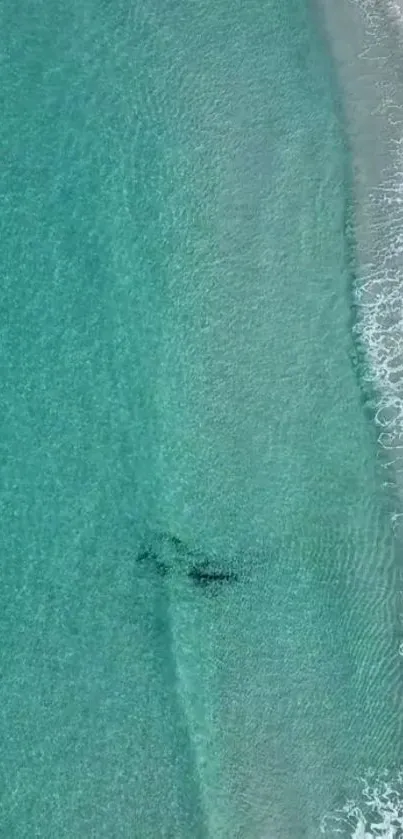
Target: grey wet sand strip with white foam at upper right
372,91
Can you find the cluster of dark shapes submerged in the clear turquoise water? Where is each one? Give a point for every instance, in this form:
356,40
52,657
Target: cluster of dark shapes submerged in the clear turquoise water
167,553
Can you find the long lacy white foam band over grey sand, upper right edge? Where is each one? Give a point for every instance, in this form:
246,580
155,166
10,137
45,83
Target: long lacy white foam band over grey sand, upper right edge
379,289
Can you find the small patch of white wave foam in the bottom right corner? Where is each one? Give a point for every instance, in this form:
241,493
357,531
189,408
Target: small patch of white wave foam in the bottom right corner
378,814
